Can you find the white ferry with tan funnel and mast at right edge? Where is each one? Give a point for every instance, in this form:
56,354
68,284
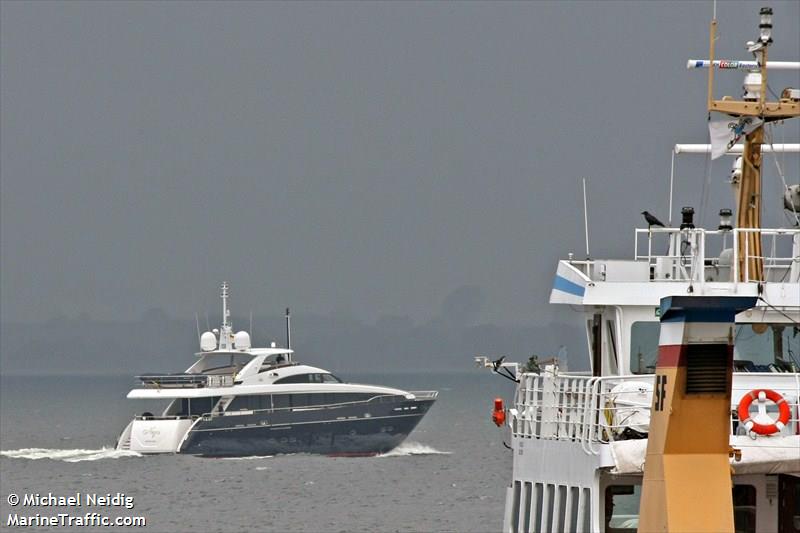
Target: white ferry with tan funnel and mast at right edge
689,419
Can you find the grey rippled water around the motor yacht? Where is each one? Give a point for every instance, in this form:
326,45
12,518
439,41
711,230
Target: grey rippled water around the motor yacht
450,475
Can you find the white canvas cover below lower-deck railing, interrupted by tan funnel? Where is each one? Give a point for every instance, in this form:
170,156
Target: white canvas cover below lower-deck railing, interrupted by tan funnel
764,455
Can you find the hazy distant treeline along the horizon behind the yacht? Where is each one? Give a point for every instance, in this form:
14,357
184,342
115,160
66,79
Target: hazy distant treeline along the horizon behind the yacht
158,343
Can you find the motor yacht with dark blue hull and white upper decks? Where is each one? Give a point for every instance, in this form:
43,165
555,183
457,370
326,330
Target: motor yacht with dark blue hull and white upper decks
237,400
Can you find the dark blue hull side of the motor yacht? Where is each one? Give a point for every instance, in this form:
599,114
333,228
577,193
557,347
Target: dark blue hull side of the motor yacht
361,429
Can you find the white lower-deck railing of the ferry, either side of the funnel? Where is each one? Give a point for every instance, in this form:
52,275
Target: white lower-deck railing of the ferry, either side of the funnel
594,411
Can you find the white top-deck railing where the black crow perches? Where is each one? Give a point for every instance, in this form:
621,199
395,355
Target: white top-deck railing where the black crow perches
687,256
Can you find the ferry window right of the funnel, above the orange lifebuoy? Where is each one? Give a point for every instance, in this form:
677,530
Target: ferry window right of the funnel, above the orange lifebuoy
767,347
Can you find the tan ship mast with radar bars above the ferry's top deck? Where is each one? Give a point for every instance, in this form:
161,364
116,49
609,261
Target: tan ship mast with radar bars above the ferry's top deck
753,110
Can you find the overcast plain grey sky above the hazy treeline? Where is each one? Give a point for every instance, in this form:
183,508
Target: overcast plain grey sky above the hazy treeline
363,159
